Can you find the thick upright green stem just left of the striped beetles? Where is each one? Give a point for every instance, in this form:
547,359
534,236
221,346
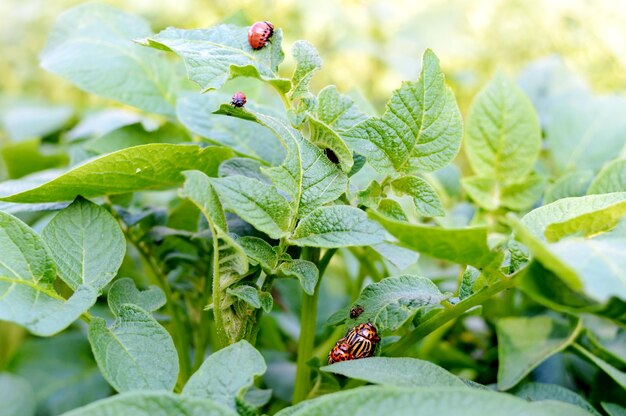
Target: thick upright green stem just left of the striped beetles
308,321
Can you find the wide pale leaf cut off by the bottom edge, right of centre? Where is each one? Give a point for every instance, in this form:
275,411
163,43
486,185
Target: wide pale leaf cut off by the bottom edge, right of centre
402,401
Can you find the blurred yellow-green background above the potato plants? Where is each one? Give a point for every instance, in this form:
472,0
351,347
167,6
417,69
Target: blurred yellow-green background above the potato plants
370,46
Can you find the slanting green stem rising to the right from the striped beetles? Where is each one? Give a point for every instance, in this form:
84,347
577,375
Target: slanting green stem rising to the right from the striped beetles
447,315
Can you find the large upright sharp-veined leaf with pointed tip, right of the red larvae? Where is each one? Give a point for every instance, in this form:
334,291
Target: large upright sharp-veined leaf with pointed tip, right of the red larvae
421,129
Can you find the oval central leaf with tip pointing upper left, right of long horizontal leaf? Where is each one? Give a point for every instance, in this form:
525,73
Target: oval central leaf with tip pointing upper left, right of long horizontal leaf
257,203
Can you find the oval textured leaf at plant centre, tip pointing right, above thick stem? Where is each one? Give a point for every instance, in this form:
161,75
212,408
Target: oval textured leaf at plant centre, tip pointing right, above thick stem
337,226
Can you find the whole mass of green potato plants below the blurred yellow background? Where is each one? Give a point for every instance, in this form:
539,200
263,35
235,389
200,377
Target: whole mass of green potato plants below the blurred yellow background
181,289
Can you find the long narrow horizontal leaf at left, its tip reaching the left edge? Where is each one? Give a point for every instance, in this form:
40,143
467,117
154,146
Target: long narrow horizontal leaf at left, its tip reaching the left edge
151,166
